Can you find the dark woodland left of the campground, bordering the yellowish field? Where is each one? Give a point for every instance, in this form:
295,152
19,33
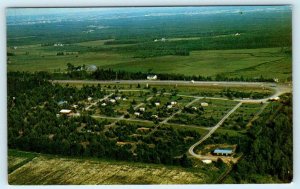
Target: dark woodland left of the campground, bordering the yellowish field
33,125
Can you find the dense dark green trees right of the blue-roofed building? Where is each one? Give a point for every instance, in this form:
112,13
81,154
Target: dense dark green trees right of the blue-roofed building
270,149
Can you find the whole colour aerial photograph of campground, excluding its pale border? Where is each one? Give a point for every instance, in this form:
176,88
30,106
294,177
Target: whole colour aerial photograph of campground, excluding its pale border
149,95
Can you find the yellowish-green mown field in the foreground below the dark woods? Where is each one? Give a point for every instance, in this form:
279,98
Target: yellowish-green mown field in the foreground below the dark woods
45,169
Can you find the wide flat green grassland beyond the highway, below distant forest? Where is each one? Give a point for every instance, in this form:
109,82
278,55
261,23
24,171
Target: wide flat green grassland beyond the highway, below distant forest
239,62
